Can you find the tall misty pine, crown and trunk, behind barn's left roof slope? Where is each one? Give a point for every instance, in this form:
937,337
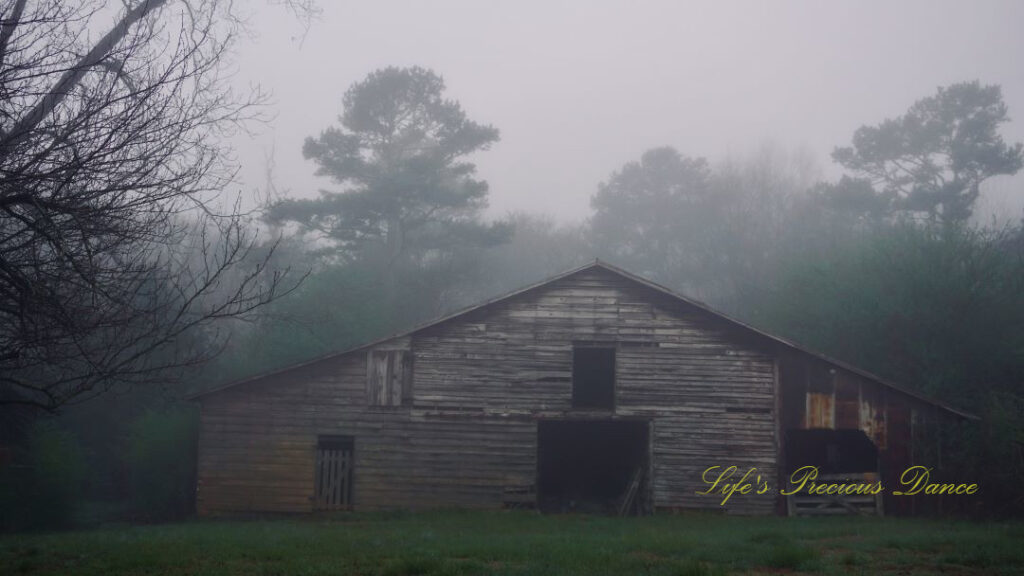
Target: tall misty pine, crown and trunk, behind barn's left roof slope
409,210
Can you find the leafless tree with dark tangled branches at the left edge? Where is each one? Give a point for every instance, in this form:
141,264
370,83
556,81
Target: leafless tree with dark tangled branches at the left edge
114,263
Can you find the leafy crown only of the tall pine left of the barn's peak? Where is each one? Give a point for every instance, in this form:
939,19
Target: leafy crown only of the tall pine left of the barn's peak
400,154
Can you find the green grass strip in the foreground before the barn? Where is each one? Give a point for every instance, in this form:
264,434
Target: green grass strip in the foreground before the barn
500,544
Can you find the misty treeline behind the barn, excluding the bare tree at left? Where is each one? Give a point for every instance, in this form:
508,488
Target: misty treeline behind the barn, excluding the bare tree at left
888,268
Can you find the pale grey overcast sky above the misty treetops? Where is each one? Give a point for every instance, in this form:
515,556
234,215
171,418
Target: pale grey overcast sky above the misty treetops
580,89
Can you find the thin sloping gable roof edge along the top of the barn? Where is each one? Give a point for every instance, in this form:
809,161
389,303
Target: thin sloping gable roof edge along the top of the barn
599,265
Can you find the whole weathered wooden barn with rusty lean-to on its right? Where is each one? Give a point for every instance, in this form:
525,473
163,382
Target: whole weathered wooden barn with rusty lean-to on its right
593,390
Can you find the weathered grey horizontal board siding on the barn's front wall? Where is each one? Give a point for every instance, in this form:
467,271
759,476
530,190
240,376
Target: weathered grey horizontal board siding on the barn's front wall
481,384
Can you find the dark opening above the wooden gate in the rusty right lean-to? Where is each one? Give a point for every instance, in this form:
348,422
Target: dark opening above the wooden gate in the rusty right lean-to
832,451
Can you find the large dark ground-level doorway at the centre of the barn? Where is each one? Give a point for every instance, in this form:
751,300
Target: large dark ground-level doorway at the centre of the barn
593,466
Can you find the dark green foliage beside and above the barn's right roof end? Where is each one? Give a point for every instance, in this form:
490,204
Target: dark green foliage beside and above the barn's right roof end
936,308
